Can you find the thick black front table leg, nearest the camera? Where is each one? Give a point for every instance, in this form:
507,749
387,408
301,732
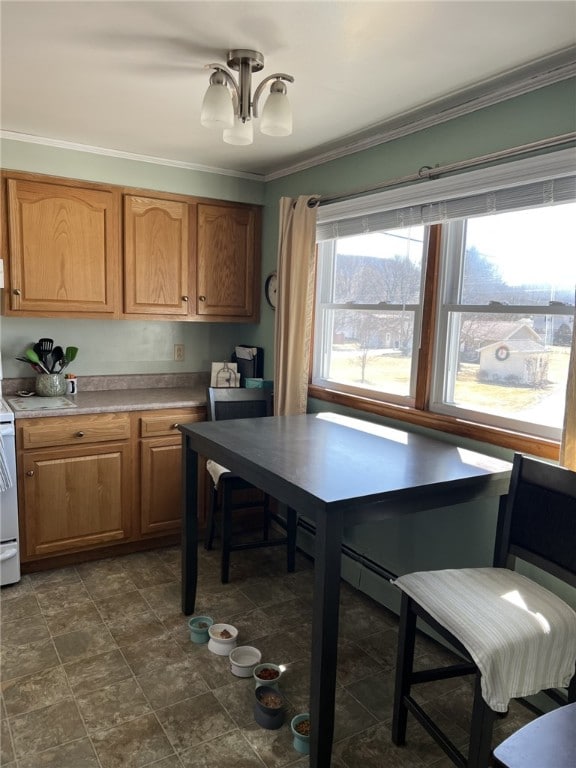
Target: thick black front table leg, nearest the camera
326,603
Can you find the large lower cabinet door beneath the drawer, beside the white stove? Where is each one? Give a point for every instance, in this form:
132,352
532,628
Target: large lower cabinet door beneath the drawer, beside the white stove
76,498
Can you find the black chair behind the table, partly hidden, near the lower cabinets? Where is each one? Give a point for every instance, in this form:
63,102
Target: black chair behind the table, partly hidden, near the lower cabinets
240,403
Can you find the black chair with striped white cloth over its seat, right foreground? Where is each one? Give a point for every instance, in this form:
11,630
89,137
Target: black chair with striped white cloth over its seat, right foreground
515,636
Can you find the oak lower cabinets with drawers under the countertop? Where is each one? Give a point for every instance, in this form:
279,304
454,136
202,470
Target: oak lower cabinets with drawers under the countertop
93,482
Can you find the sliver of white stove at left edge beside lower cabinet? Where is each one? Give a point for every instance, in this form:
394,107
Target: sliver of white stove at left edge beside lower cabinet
9,546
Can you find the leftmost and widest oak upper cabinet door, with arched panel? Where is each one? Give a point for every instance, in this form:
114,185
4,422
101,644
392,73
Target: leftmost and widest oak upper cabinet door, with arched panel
64,249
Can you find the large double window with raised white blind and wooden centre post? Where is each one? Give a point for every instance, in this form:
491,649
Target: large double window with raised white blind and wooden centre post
456,305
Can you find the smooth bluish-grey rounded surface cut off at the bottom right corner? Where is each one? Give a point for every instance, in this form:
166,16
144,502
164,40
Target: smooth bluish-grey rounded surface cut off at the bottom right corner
547,742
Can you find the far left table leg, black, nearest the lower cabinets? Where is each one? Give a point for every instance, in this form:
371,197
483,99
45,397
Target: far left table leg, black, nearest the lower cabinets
189,526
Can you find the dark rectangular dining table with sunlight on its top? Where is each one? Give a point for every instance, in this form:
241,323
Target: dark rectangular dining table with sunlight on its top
338,471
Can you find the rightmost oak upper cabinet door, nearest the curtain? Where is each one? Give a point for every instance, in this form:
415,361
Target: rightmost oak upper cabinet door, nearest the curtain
228,262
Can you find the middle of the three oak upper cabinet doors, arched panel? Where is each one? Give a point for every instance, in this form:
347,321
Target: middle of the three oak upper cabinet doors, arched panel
155,257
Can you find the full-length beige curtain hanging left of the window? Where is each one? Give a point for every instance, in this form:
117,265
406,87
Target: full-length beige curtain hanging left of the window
296,252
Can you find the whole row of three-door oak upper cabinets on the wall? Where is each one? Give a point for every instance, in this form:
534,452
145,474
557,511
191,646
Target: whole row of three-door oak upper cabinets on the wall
79,249
